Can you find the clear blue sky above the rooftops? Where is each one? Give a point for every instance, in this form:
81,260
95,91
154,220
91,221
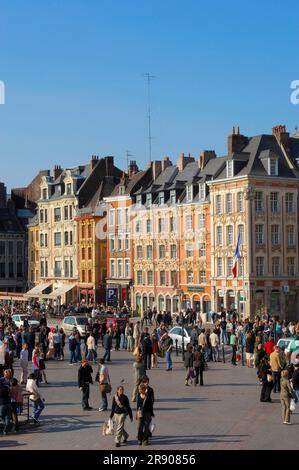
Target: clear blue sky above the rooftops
74,85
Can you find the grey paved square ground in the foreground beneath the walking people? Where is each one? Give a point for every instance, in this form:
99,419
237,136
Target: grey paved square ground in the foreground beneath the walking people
224,414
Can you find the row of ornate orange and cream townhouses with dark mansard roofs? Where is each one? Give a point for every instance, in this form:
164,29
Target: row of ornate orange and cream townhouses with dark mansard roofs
166,236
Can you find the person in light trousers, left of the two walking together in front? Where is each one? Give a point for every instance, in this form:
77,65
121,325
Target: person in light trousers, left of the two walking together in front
120,409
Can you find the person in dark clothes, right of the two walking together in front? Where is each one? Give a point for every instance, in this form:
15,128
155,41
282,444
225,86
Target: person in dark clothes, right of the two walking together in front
145,412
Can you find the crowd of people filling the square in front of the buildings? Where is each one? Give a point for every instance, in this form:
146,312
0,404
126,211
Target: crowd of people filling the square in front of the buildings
252,343
